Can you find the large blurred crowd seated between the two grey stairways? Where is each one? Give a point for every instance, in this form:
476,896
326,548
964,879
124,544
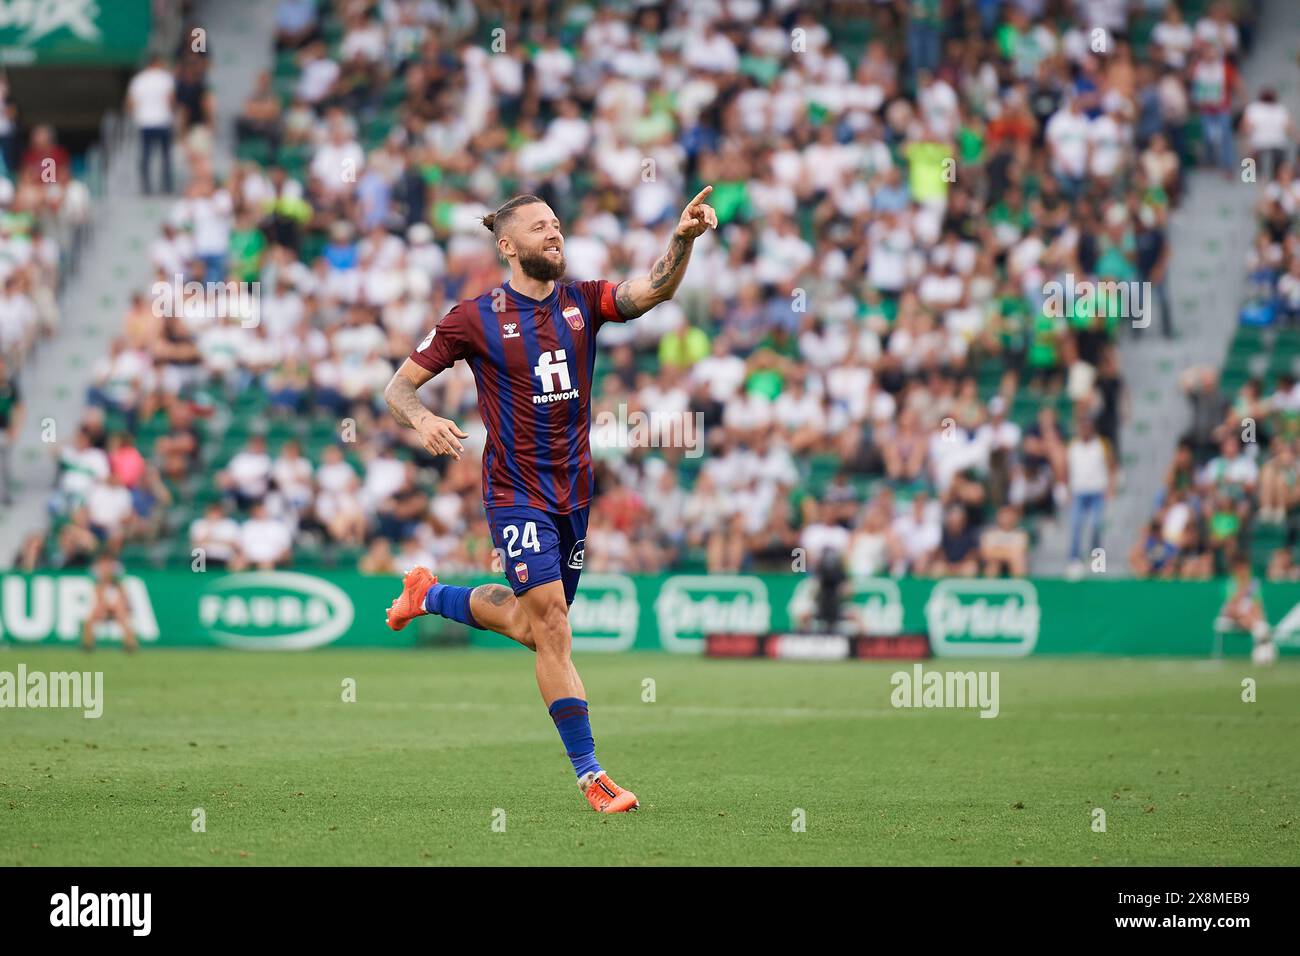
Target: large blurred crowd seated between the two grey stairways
866,339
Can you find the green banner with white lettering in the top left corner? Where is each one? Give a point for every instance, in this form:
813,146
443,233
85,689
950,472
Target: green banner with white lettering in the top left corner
92,33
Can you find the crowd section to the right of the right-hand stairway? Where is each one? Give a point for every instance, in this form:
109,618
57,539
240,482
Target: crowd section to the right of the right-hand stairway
1232,490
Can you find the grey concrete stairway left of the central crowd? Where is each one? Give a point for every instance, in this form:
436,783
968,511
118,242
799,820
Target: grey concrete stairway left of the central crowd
116,265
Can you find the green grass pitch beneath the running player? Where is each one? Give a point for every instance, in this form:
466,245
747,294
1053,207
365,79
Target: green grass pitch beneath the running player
440,742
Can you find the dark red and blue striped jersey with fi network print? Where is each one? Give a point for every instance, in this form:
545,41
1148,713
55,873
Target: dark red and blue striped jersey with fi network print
532,362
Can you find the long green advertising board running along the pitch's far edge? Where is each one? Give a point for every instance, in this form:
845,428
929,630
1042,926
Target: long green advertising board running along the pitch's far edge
297,611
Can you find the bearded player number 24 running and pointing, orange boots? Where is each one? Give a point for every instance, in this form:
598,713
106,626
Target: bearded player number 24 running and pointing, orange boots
531,345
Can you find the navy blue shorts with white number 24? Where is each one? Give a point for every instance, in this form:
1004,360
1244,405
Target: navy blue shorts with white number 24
539,547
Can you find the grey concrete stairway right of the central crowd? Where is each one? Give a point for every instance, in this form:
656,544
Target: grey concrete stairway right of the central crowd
1211,233
